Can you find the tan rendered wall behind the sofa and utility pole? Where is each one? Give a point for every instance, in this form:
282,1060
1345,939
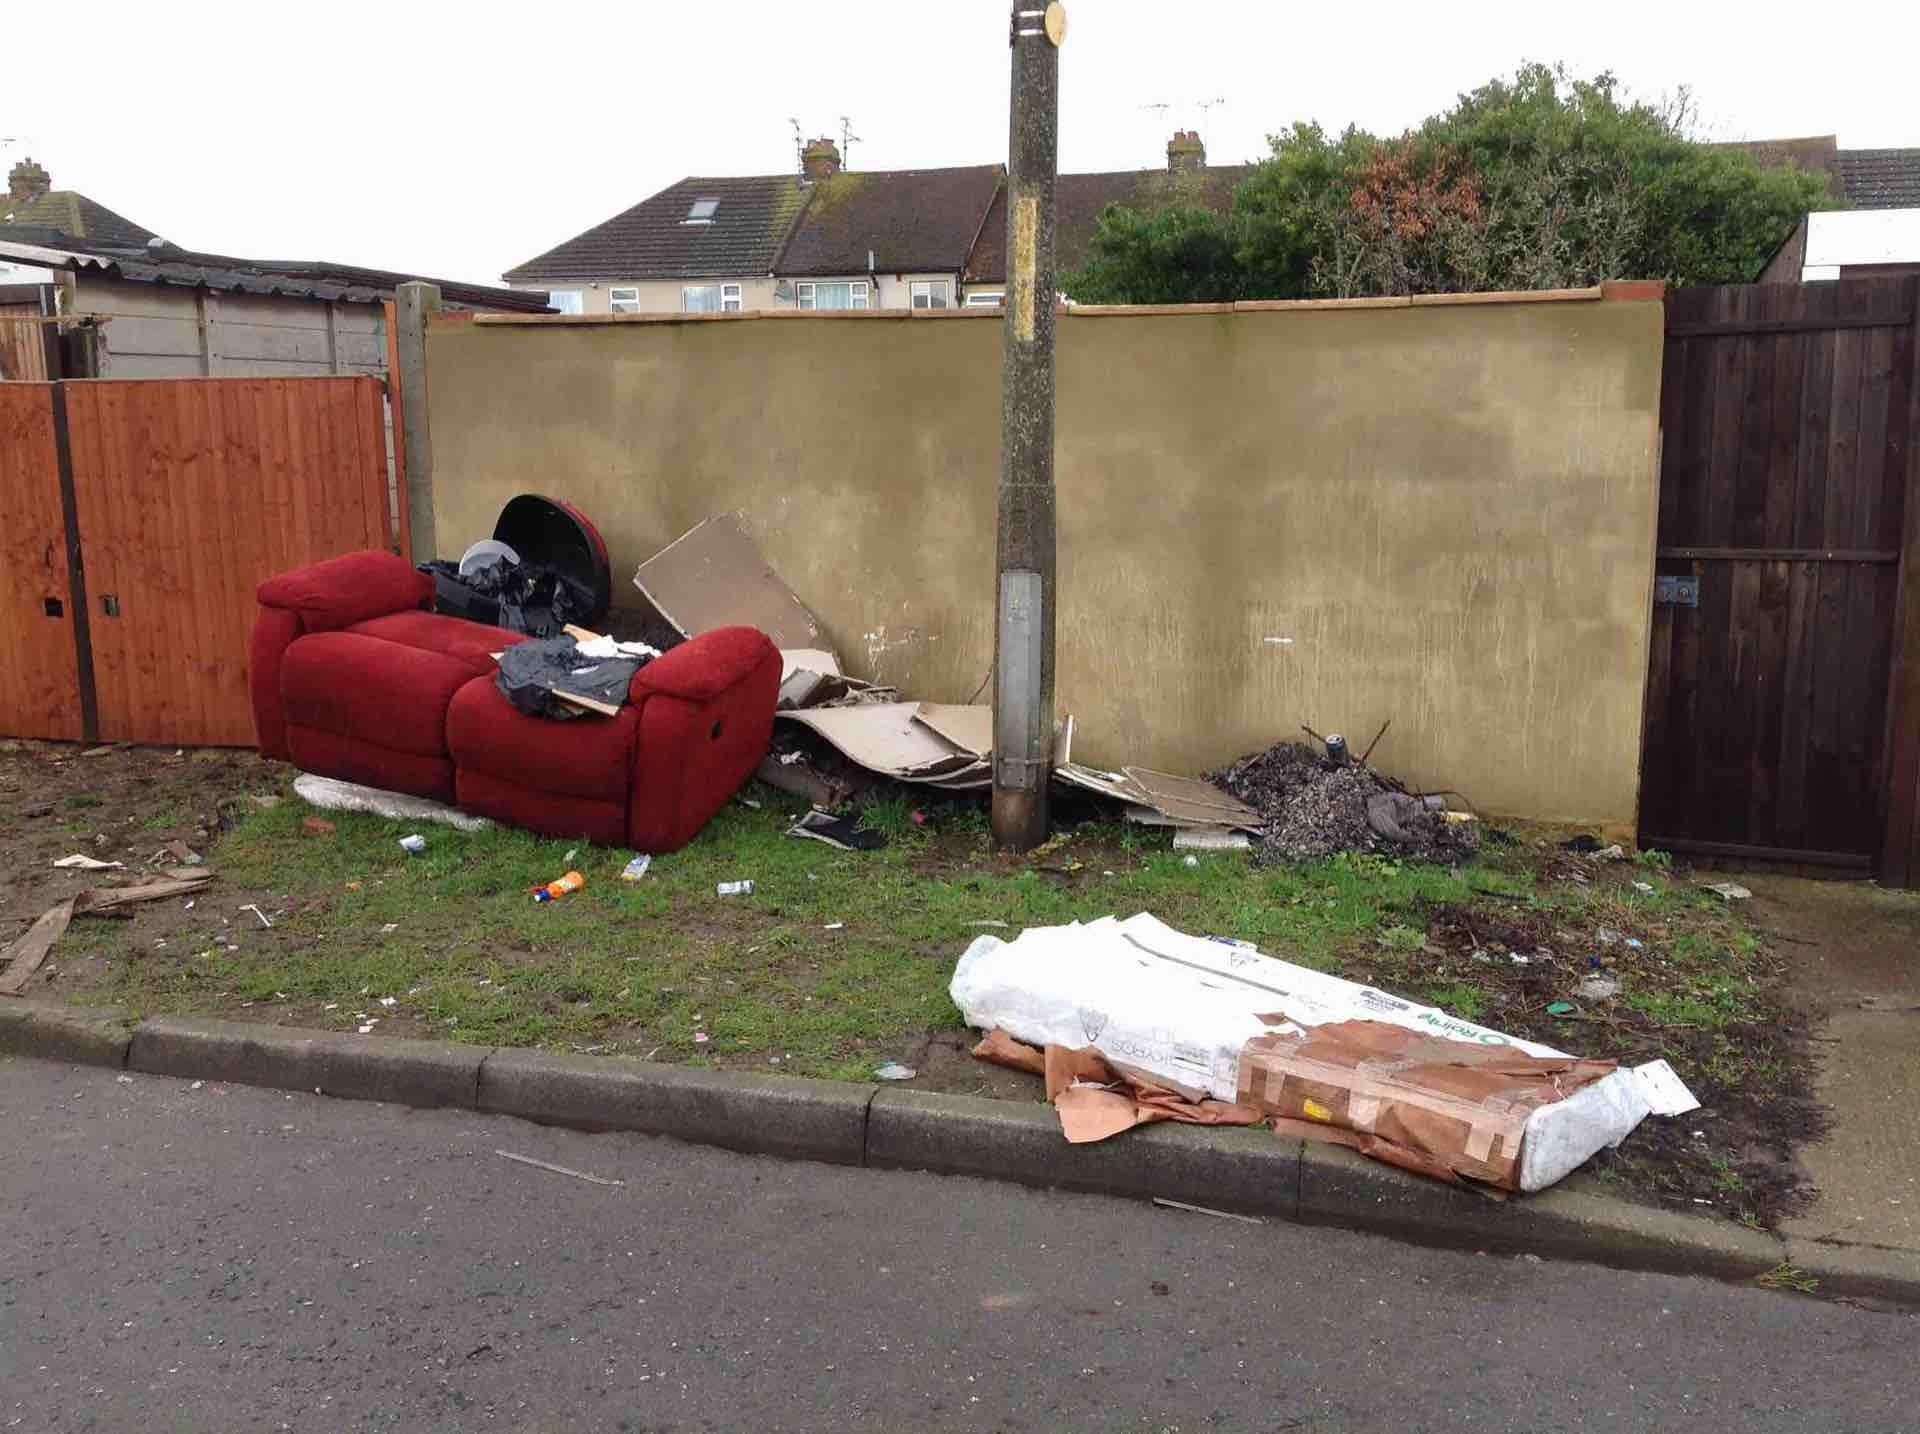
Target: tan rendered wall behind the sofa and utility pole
1337,515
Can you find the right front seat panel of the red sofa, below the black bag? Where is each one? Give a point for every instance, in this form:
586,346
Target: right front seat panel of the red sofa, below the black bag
590,757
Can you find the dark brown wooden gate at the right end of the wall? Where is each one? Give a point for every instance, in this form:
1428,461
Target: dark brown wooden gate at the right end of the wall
1783,709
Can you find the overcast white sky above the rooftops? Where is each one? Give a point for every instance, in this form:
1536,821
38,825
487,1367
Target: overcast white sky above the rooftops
458,141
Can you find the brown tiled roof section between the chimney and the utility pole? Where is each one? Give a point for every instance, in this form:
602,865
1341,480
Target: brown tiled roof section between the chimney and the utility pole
907,220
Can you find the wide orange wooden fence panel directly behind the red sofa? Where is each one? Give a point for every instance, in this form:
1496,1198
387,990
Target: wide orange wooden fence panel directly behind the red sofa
189,494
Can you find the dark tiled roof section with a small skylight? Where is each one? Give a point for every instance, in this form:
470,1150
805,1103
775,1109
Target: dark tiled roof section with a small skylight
656,239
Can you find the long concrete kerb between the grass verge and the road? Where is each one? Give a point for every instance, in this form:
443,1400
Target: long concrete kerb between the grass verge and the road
1236,1170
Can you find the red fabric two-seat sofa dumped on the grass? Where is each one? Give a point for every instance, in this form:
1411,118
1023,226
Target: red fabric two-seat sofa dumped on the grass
354,677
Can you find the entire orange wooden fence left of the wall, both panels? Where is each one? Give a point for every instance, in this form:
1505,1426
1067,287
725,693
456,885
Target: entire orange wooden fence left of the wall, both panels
143,515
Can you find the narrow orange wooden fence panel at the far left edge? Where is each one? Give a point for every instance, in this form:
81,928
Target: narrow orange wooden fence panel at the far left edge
39,675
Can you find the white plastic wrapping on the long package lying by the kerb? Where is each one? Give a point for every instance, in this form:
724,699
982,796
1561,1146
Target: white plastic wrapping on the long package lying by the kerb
1180,1009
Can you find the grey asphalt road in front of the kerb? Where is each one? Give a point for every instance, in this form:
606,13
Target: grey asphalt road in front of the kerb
222,1258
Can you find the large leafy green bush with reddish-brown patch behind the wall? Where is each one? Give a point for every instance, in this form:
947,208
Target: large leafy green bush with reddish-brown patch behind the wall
1537,181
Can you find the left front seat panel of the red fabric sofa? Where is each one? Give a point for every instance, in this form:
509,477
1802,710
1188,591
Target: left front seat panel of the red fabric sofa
372,690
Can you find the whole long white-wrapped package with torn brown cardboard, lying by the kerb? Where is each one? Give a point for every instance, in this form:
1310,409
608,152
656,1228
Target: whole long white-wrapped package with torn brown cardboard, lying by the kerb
1218,1020
